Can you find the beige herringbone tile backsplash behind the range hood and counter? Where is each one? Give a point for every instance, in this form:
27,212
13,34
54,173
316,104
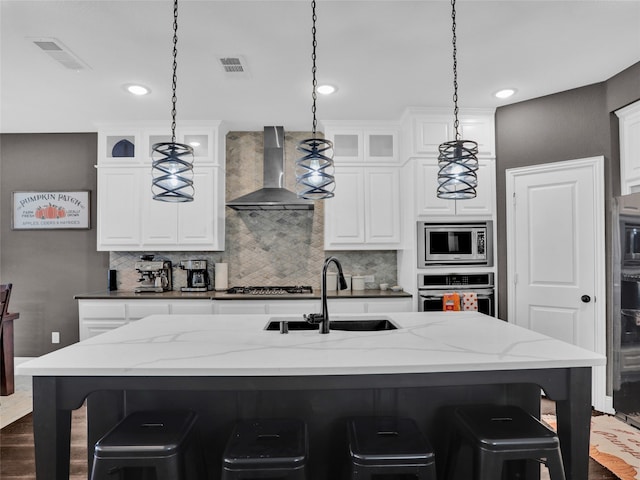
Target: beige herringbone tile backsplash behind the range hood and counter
277,247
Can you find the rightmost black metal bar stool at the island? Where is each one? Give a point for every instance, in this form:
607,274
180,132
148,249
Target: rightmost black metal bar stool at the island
500,433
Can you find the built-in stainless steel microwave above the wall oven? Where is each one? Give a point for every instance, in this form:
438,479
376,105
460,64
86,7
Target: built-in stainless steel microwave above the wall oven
455,244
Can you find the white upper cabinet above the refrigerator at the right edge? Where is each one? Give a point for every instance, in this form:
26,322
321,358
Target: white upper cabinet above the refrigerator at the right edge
629,148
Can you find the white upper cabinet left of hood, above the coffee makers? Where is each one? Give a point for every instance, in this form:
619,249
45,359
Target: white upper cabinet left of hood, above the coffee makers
128,217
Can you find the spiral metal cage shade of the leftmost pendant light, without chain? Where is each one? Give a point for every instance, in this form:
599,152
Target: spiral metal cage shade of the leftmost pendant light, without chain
172,172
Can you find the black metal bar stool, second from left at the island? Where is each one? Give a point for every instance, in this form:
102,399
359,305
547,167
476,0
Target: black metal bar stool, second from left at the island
266,448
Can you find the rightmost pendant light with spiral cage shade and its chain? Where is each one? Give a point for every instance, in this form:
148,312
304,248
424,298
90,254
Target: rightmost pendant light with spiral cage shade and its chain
458,160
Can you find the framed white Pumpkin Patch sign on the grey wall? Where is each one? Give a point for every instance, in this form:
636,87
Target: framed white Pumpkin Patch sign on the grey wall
51,210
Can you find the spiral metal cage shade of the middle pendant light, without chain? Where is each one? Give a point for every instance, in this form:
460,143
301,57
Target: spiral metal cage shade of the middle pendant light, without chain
314,169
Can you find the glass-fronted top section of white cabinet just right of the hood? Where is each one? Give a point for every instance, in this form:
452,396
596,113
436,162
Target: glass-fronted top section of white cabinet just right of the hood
358,143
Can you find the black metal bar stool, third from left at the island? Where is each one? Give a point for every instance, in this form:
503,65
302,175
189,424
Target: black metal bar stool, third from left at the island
389,446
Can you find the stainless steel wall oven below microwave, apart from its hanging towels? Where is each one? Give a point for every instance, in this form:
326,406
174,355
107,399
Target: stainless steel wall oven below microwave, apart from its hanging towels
432,288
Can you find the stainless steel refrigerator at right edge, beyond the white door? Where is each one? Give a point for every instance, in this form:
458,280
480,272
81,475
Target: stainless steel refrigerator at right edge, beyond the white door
624,332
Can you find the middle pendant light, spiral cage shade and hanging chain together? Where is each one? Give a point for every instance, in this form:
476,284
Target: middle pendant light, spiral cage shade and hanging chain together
314,170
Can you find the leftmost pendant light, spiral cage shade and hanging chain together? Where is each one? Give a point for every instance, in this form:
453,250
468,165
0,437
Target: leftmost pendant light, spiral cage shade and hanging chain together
172,169
